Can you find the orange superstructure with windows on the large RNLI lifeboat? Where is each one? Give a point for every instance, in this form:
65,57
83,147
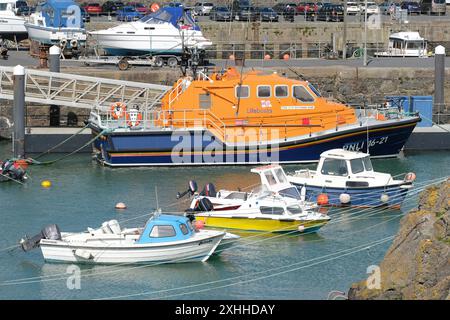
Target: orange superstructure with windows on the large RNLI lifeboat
252,106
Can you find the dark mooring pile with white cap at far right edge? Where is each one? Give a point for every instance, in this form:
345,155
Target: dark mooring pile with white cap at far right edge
439,80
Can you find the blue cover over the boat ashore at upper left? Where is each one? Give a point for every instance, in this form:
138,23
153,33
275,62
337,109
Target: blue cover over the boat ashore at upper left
60,13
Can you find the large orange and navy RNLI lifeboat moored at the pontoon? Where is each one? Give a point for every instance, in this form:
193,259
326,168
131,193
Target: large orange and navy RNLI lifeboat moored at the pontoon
252,118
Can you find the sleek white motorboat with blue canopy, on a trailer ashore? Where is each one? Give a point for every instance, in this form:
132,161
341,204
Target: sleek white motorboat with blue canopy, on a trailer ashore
165,31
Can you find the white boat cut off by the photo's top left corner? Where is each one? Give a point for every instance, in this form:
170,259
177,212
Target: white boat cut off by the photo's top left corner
12,27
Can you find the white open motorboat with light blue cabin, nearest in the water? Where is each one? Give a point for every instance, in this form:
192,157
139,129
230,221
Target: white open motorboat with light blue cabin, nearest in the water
164,239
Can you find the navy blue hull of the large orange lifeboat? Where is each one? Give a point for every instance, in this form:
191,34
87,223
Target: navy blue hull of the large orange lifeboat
194,147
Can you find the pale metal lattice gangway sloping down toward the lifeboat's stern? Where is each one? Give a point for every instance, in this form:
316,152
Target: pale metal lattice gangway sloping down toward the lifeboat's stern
71,90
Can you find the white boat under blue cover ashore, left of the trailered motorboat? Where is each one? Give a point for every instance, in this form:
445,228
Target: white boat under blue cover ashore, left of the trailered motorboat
57,22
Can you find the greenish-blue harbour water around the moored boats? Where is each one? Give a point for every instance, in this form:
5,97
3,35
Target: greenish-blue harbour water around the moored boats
259,266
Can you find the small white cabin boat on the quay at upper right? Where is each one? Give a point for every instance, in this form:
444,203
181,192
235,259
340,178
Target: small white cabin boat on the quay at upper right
405,44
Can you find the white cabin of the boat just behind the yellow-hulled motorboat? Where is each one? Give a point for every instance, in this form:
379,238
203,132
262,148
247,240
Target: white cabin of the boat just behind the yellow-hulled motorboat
274,179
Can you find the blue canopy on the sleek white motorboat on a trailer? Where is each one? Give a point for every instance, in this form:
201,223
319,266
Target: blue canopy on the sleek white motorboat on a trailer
177,16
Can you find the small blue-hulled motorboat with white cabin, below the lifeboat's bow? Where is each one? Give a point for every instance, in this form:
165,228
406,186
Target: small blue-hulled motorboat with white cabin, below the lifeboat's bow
347,178
